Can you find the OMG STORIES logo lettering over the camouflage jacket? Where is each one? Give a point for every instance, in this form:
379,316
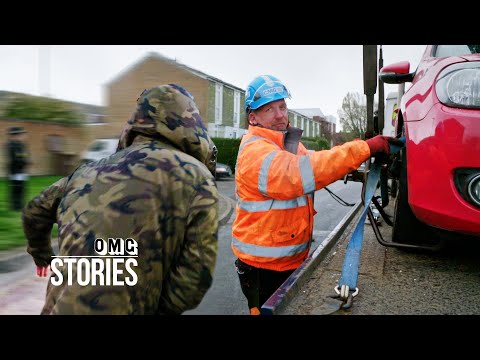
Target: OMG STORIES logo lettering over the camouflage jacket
106,268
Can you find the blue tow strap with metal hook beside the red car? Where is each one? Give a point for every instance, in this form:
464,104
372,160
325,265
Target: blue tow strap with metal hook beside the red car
349,277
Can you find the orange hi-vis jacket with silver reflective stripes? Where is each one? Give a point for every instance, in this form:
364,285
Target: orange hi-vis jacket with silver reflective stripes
274,212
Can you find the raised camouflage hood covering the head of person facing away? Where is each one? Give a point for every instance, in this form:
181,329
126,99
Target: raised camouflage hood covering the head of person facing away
169,113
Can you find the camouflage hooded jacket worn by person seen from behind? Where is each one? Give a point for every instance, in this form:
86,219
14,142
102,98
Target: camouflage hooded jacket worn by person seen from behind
158,189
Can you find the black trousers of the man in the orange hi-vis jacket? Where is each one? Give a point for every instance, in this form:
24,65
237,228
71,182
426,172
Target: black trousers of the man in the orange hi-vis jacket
259,284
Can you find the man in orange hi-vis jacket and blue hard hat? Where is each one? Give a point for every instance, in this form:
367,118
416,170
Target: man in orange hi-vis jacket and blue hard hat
276,177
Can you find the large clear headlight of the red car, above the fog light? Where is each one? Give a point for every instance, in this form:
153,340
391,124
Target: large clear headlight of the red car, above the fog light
458,85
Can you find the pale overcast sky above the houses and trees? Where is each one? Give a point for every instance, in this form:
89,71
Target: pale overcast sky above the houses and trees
318,76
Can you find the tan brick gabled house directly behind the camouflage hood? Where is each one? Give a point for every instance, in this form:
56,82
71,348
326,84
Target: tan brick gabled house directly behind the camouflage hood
219,103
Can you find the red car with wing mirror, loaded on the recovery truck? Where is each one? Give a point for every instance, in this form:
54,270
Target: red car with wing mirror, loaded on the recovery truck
439,180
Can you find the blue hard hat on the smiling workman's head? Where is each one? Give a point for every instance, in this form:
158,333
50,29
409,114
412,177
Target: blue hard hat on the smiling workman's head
263,90
